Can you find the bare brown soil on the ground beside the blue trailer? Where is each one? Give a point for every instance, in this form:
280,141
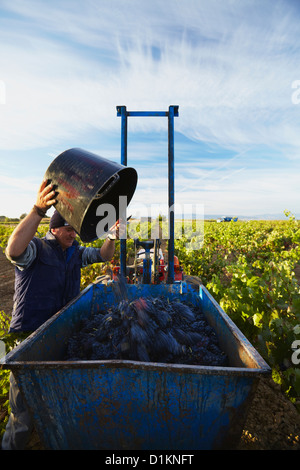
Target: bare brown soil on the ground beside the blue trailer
273,422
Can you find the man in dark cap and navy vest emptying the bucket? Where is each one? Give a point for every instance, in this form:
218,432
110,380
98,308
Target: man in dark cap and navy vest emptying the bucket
47,278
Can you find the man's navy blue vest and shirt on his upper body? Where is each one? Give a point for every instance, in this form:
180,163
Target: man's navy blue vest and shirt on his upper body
46,279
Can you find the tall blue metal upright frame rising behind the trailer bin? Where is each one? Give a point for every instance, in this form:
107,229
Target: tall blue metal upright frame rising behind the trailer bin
173,112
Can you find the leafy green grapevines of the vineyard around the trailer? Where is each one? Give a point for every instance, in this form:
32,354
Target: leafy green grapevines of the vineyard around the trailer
252,269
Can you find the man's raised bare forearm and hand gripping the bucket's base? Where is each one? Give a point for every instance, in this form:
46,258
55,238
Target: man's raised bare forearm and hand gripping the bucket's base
25,231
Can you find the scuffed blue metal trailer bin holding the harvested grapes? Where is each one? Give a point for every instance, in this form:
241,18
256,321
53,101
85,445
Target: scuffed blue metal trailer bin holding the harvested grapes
129,404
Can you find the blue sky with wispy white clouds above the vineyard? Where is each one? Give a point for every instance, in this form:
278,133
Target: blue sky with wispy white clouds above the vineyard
231,66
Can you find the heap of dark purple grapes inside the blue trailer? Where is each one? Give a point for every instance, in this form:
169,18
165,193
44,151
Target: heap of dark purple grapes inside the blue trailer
148,330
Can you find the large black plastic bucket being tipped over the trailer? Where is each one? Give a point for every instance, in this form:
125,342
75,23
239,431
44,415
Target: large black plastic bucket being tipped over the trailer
83,181
